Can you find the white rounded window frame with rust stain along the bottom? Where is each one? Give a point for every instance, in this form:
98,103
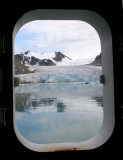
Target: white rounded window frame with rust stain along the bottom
103,29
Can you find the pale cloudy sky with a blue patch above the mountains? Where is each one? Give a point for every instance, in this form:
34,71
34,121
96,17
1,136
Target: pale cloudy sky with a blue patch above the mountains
74,38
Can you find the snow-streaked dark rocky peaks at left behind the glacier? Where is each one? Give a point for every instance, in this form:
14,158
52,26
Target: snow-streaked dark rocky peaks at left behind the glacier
42,59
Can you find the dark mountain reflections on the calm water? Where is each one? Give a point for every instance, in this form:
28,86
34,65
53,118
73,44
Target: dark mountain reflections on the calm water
24,103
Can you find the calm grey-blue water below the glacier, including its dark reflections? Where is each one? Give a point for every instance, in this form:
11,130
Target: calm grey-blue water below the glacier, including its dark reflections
58,112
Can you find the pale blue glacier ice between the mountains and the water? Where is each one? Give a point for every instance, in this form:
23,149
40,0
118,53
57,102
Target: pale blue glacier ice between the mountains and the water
58,74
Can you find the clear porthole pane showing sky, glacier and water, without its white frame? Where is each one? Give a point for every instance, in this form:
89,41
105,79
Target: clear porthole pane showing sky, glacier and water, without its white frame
59,97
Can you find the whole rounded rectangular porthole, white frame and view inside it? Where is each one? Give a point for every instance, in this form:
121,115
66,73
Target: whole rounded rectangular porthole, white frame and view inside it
63,80
